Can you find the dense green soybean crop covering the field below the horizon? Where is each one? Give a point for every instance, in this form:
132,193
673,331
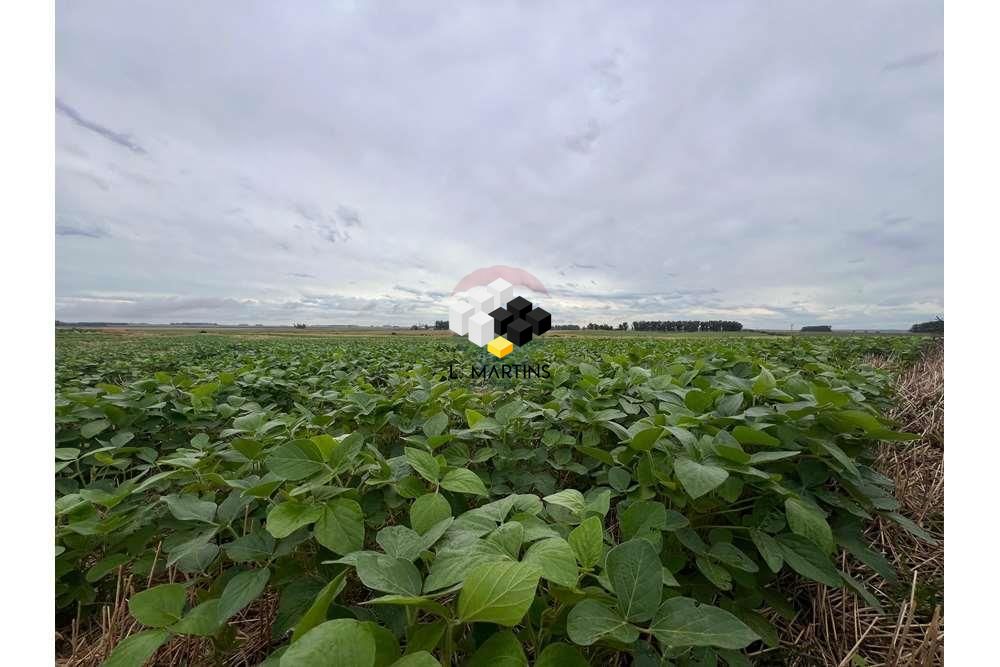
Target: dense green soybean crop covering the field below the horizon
284,496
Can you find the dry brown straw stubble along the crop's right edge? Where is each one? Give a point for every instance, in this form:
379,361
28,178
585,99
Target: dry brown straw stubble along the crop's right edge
842,629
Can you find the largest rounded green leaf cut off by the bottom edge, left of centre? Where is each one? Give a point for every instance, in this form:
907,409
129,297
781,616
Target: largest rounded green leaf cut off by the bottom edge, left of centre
346,640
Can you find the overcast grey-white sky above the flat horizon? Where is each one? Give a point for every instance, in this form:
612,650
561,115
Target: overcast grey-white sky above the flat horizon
774,163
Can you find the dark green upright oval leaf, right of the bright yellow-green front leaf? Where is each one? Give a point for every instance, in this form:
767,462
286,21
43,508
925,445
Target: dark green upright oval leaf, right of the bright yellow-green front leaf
634,570
